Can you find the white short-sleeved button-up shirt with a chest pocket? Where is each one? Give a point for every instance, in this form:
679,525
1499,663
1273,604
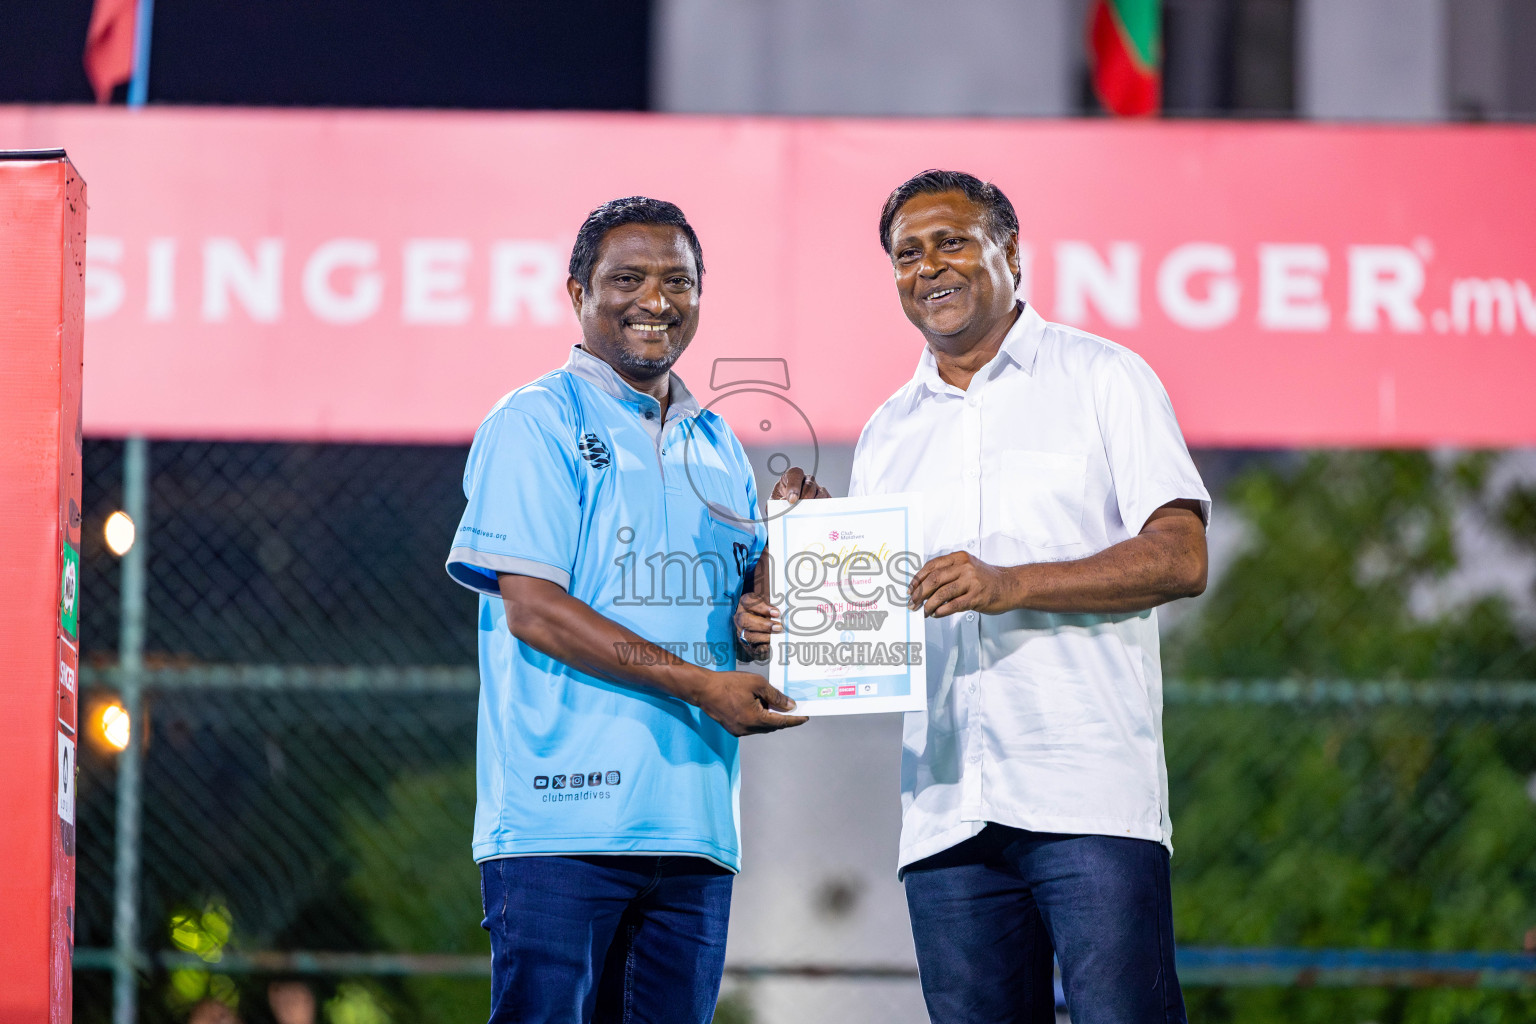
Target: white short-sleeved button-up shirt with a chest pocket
1062,446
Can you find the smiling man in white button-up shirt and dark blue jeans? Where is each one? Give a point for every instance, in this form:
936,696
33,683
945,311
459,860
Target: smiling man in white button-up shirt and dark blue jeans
1062,509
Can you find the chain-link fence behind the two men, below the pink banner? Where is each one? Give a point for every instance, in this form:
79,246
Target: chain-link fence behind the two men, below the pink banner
303,762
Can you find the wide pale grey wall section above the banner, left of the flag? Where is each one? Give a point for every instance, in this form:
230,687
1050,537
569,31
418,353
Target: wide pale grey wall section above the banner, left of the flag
867,58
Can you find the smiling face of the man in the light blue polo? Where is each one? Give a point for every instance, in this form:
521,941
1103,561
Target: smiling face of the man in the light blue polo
643,306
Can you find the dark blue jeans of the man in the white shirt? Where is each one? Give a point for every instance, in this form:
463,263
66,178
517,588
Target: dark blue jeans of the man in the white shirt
990,913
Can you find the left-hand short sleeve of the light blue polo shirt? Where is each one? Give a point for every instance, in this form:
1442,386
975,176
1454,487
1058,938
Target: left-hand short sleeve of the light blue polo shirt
523,509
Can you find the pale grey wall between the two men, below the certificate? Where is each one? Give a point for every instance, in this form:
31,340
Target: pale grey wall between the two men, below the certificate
821,821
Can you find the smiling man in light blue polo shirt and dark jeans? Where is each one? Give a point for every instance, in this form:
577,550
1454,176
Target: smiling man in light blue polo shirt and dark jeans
612,529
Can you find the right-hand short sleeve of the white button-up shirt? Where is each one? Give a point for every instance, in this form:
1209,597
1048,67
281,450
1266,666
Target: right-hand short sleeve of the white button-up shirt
1148,458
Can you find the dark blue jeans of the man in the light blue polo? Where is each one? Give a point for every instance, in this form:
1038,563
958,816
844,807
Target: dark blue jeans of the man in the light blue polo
606,939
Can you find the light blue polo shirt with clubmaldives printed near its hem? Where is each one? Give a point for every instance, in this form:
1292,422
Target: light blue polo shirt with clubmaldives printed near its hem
575,480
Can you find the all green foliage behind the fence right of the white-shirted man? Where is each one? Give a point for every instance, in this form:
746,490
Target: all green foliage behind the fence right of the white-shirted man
1339,827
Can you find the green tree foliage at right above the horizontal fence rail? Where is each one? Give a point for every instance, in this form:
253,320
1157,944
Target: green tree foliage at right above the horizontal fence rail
1337,550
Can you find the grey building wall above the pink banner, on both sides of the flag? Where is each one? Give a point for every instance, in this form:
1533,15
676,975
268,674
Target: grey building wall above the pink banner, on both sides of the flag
1417,61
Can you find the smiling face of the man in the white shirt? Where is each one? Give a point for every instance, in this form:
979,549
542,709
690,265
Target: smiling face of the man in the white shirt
956,280
